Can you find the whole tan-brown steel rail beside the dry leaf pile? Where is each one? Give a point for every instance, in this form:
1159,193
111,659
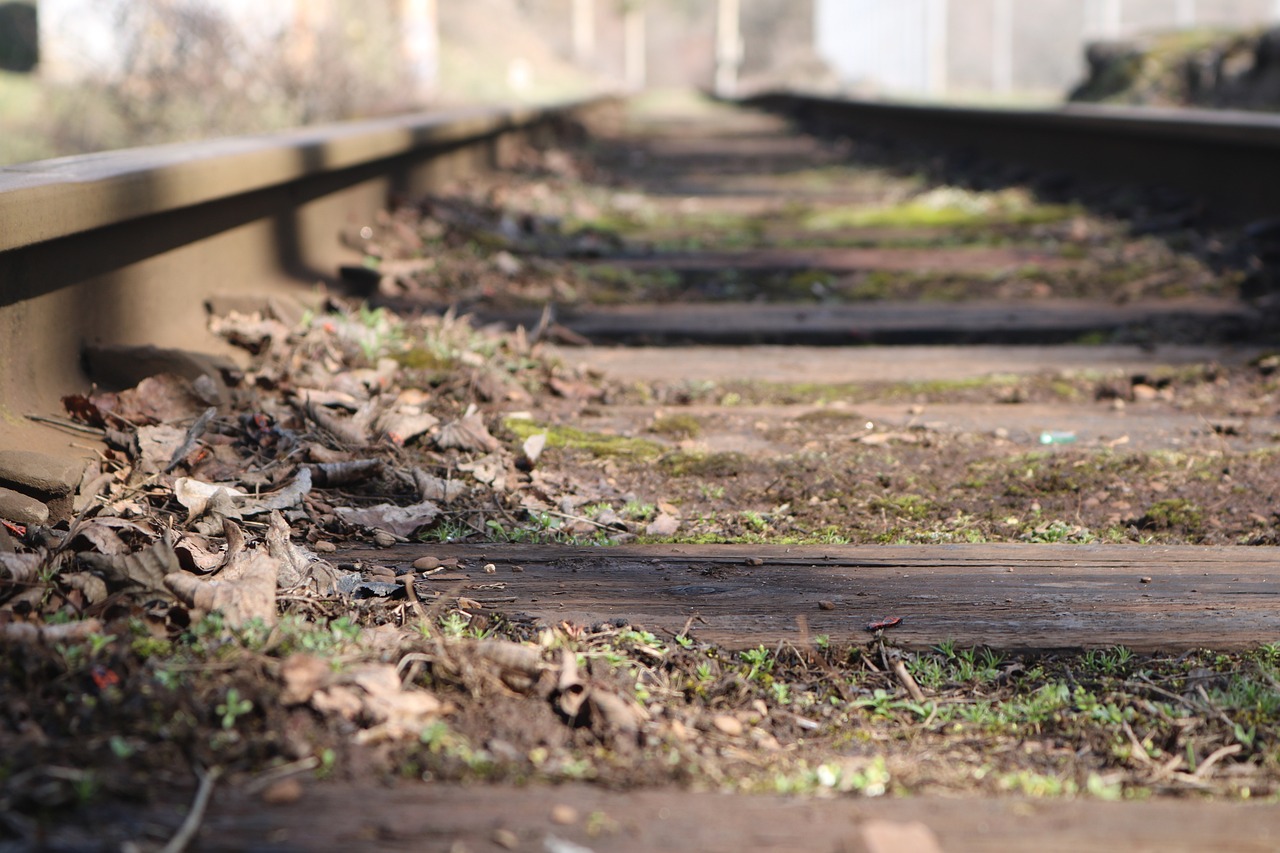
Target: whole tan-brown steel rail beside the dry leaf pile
126,248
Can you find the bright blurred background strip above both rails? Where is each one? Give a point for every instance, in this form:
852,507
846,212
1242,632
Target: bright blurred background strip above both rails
92,75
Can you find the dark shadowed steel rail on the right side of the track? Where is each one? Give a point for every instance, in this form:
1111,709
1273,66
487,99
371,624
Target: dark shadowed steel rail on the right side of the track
1228,159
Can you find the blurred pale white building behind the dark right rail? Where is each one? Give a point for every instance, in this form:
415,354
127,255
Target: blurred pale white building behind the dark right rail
957,48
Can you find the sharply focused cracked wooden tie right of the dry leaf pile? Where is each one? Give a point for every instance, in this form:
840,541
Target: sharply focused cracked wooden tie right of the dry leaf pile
1034,597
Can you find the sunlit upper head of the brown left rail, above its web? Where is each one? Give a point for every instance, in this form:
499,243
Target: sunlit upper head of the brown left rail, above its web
51,199
